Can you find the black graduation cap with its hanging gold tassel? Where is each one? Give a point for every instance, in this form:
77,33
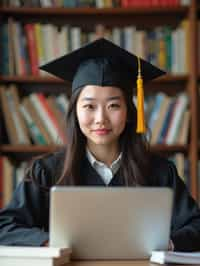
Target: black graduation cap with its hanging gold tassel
103,63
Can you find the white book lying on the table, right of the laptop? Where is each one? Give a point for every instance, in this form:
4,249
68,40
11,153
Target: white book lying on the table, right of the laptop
162,257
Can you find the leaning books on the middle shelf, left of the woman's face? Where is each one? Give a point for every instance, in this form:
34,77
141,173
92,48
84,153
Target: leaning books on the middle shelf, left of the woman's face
35,119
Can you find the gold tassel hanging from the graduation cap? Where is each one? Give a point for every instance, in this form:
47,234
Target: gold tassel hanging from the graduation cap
141,128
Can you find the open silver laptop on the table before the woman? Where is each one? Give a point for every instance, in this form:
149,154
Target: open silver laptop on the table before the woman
110,223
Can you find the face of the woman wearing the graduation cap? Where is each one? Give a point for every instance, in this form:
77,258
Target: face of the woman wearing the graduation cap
102,114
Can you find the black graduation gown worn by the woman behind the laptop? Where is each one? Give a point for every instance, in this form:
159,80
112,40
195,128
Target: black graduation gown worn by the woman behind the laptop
25,221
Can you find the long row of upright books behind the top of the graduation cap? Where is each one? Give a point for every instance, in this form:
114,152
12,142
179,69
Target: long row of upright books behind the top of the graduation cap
26,46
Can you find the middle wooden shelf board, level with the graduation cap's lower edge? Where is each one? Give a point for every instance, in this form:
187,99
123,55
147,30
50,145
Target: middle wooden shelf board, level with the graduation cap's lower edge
36,79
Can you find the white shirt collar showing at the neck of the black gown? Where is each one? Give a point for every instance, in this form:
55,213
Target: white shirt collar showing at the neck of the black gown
102,169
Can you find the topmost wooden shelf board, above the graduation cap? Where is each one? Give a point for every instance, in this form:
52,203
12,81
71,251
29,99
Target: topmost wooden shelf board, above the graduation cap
88,17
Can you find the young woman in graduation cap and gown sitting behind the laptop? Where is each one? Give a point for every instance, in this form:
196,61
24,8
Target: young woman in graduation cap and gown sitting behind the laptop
103,148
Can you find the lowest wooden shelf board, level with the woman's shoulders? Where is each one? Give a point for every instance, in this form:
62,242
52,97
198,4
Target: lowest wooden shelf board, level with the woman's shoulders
15,149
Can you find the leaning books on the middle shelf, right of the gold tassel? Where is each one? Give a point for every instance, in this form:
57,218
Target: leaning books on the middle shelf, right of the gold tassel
168,119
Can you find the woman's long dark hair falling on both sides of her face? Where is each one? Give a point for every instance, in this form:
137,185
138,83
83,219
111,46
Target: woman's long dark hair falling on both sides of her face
134,147
